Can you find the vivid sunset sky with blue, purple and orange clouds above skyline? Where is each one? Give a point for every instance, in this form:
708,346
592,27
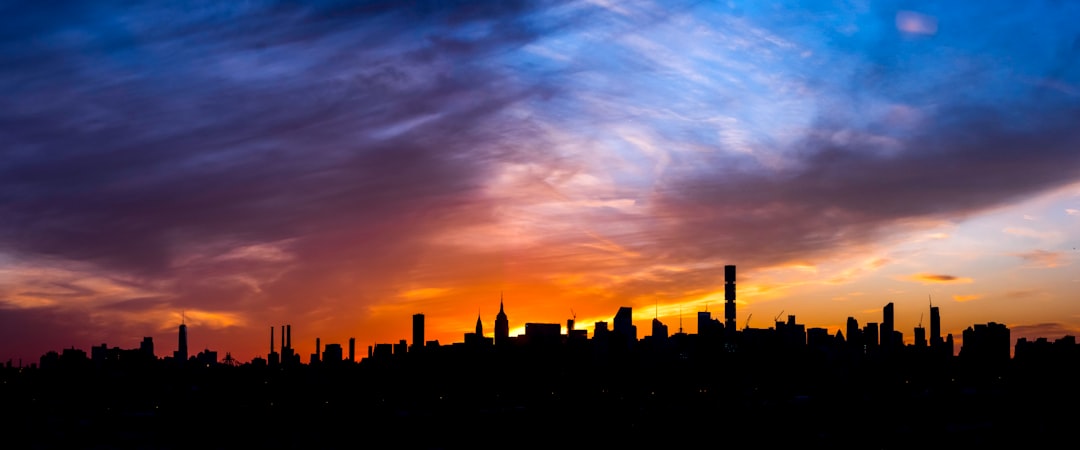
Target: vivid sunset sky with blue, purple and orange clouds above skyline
341,167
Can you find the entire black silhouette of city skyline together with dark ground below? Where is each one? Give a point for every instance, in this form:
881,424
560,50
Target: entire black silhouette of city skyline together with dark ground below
813,386
